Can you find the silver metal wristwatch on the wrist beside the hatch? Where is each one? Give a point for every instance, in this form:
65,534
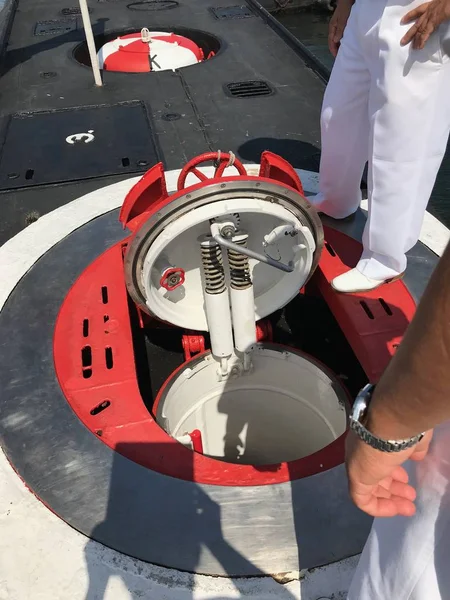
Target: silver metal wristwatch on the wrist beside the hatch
358,417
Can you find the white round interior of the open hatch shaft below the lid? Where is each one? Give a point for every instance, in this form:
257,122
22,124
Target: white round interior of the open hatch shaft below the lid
260,417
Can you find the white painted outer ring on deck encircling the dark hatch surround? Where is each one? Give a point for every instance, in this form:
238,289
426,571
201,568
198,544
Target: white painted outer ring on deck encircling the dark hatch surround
31,561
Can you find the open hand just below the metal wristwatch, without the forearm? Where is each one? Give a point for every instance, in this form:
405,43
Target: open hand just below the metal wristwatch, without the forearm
378,484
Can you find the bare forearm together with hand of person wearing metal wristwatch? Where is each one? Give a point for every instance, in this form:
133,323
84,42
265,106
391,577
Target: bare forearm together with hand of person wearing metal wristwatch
412,396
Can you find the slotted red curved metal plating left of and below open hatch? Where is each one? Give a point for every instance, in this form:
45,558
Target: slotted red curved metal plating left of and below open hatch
100,384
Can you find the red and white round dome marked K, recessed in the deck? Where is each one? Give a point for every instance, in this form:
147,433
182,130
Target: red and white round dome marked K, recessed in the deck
149,51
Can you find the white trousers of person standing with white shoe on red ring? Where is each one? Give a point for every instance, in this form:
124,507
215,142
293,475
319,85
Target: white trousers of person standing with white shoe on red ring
388,105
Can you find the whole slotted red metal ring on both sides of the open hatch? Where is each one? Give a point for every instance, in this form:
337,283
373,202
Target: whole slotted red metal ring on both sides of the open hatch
95,366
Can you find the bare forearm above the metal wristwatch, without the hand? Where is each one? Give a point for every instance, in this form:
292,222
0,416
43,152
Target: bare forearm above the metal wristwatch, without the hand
414,393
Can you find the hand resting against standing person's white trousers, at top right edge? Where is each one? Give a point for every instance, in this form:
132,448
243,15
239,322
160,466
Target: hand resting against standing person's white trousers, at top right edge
427,18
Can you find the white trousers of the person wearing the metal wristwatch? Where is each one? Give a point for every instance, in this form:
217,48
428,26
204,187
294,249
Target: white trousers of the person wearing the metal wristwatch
409,558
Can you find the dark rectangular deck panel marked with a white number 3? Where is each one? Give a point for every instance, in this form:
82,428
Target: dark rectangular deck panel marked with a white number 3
75,144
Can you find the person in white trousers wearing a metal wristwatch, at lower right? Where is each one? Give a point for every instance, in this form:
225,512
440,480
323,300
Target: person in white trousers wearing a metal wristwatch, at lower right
407,557
